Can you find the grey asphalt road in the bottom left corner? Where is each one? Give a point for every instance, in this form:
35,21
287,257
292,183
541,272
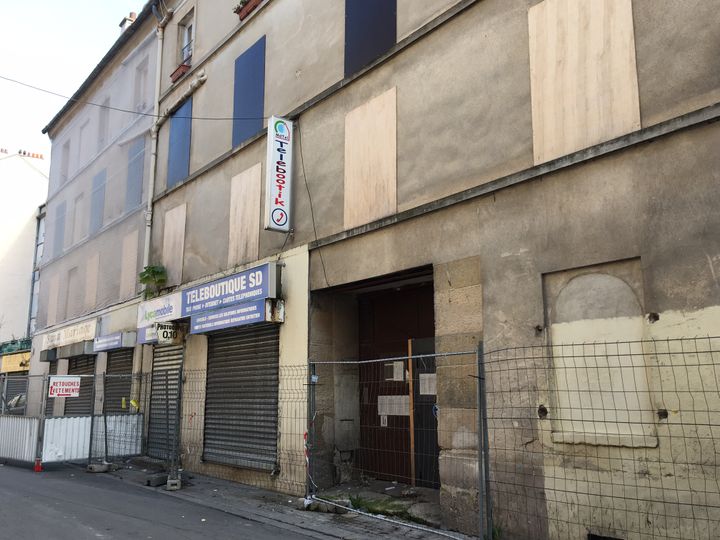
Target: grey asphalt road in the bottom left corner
70,504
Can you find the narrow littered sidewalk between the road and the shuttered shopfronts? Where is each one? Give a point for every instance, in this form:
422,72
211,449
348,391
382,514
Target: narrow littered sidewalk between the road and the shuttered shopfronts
276,509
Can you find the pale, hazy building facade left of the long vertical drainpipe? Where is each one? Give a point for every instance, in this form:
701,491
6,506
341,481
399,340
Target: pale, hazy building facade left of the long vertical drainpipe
95,221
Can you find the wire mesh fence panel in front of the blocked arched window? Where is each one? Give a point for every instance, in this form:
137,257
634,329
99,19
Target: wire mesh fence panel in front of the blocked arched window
606,440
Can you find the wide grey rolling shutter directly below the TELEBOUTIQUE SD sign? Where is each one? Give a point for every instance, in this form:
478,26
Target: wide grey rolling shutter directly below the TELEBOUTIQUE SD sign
241,400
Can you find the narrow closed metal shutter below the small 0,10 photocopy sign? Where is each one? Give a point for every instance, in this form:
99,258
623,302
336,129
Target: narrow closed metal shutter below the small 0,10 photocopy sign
164,400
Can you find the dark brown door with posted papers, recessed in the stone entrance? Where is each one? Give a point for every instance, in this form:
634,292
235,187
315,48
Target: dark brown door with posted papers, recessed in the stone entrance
390,320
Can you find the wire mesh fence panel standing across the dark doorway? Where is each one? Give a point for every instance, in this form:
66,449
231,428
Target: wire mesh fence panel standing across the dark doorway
388,434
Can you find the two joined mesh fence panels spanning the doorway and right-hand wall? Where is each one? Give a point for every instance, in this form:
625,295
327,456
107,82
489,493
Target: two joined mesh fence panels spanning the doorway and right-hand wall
608,440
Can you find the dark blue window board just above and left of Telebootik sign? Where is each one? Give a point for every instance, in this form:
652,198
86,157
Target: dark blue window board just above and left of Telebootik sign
249,97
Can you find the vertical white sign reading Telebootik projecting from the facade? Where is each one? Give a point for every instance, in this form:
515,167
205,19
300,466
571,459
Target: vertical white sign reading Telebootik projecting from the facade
278,192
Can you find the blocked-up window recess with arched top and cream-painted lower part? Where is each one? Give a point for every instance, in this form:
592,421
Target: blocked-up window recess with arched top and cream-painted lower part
601,386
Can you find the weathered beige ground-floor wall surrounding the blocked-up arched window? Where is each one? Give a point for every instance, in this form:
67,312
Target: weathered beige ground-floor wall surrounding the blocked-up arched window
577,218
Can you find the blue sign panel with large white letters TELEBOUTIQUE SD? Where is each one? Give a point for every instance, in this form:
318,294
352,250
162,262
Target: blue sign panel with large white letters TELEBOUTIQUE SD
247,286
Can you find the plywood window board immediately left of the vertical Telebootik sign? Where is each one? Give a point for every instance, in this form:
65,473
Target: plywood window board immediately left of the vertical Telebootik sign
244,230
